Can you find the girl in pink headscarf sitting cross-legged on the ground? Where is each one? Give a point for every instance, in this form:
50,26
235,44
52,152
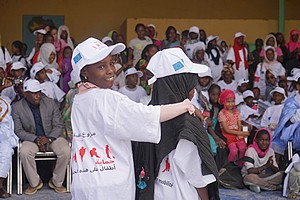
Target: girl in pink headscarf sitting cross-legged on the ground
260,169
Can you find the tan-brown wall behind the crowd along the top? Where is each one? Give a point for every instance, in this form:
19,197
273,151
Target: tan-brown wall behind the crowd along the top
97,18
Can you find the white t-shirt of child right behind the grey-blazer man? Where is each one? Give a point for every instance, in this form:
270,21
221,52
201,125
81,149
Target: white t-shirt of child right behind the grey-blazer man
52,91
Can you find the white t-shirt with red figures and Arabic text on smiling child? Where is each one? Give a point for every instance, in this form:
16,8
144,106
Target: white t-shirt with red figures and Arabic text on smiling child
104,122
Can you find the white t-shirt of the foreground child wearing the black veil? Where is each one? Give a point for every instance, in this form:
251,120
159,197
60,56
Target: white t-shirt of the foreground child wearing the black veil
180,174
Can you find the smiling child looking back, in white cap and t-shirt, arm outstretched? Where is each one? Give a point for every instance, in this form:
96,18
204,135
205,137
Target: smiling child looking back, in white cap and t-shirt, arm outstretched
104,122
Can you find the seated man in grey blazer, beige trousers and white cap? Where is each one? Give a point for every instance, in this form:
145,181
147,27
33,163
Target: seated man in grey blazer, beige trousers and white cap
39,125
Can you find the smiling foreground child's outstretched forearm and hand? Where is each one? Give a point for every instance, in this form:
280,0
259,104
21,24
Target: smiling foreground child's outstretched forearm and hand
170,111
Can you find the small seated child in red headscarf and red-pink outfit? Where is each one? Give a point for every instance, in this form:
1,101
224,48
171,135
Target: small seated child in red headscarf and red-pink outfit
231,126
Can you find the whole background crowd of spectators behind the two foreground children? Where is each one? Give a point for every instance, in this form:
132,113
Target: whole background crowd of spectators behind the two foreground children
248,102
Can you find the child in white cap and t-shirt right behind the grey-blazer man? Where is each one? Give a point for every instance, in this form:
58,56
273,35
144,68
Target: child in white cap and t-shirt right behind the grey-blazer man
49,88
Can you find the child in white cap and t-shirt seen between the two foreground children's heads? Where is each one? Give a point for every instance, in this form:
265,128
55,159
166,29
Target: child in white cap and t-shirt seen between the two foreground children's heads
131,89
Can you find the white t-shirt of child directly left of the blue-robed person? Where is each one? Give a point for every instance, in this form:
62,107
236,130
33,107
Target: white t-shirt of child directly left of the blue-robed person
271,116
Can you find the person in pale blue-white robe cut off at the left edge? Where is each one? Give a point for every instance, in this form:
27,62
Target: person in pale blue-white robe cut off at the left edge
8,140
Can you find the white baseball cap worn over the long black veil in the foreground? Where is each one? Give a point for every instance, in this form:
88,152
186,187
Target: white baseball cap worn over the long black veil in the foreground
172,61
